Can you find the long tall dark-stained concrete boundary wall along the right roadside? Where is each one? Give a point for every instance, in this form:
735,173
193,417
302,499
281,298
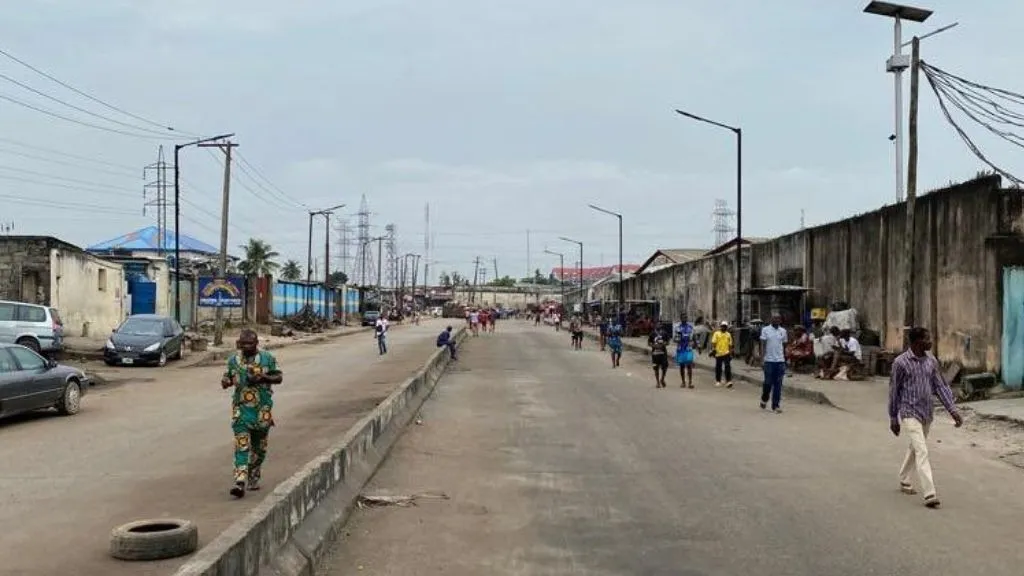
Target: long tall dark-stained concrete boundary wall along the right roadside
964,237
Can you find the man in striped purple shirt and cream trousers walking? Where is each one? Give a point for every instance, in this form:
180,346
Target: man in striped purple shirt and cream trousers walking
916,380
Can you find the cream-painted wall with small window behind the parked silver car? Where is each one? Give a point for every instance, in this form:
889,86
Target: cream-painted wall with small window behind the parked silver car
89,292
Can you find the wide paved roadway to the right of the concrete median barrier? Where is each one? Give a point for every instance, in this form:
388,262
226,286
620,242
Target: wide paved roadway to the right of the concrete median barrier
558,465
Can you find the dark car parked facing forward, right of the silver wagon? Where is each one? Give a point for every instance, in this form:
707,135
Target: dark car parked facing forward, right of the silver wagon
145,339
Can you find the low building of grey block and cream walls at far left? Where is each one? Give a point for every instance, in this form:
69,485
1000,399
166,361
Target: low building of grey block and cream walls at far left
90,292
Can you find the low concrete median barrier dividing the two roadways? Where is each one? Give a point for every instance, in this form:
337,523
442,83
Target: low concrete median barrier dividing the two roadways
289,532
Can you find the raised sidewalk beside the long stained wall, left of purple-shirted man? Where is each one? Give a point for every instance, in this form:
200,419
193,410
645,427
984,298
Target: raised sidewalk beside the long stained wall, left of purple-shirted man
868,397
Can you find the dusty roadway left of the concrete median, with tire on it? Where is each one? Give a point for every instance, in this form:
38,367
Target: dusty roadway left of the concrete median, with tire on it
164,448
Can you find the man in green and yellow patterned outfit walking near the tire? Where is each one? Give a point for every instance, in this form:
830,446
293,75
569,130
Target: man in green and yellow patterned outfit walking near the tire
251,373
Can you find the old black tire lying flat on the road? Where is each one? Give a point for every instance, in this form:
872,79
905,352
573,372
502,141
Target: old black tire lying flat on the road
154,540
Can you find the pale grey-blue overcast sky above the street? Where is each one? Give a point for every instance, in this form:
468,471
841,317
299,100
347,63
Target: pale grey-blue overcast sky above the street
504,116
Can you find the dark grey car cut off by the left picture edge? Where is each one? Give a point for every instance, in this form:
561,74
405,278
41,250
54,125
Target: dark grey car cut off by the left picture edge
29,382
